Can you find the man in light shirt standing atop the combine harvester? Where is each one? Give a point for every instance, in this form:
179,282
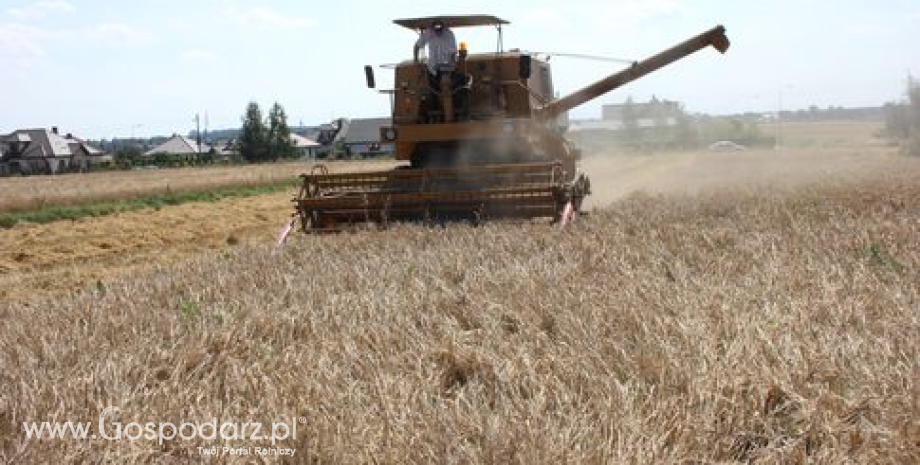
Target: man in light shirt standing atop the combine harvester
443,75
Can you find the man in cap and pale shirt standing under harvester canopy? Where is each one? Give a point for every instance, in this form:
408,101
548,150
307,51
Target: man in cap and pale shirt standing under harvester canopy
442,59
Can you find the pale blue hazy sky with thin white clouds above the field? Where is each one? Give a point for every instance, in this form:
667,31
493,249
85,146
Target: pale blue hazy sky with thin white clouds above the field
106,69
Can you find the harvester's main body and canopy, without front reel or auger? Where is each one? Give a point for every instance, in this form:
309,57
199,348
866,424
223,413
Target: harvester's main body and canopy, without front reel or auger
477,110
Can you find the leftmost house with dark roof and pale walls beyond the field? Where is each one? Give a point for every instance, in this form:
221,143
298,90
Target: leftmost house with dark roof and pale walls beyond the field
43,151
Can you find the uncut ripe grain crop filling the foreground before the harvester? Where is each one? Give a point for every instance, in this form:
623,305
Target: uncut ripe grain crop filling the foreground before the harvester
750,326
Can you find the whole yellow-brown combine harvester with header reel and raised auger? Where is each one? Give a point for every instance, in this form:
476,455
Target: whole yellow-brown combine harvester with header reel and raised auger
482,141
